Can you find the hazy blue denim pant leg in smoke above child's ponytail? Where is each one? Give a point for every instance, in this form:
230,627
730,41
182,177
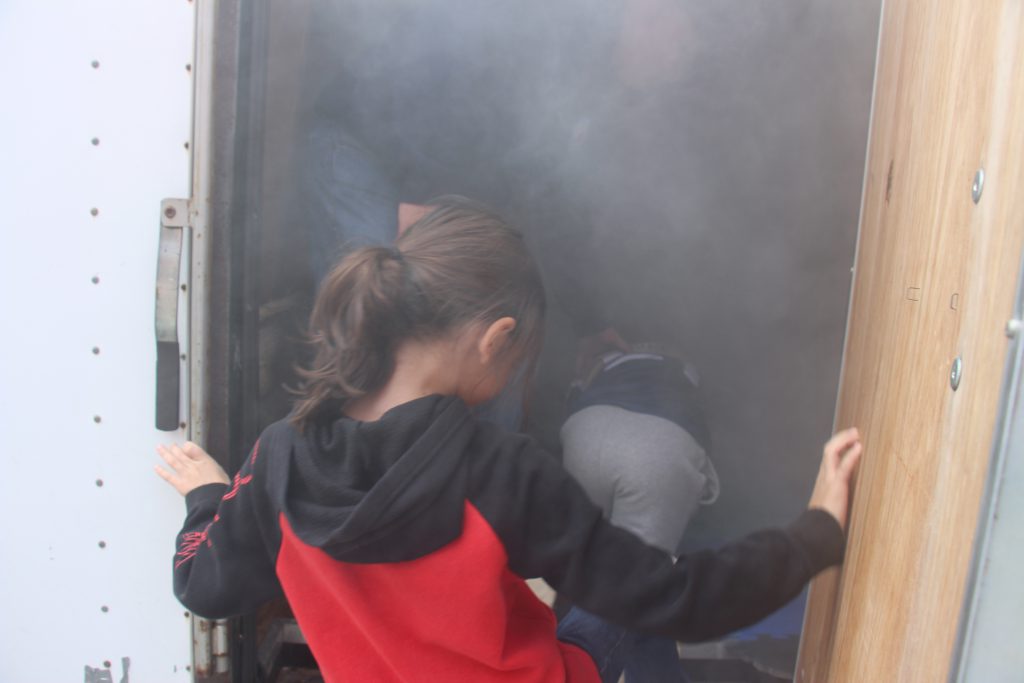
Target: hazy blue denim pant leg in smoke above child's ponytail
348,199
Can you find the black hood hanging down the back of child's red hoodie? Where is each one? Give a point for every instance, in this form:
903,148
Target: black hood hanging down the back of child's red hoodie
388,491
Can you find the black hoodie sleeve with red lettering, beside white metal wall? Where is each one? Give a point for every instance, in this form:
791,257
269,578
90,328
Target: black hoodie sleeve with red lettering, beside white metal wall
224,567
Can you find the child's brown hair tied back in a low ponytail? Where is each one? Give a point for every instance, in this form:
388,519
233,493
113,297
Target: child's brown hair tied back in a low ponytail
459,265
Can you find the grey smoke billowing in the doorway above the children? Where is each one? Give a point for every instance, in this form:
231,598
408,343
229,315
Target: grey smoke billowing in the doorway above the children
692,170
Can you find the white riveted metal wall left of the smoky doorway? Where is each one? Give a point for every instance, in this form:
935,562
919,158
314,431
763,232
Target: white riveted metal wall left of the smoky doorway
96,118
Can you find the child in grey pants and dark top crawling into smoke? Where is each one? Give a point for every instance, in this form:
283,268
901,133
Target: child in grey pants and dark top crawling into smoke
637,442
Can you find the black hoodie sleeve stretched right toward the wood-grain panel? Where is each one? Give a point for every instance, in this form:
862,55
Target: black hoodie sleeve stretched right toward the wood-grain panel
551,530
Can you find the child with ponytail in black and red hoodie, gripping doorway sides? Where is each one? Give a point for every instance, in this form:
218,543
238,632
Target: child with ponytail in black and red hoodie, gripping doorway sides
402,529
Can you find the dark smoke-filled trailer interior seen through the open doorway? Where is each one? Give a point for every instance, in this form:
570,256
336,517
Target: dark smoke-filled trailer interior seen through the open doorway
690,173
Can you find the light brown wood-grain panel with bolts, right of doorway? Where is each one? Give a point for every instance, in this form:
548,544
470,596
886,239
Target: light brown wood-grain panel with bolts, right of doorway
935,279
